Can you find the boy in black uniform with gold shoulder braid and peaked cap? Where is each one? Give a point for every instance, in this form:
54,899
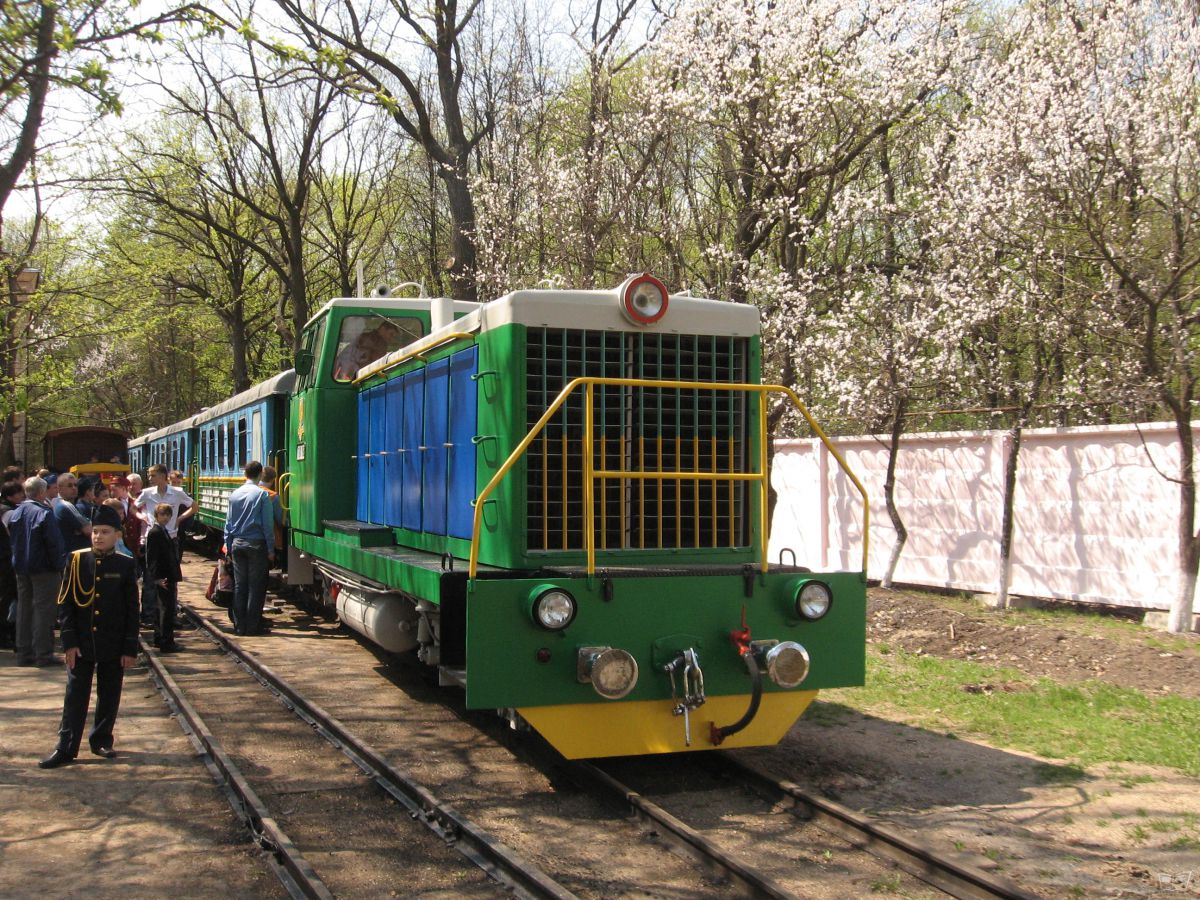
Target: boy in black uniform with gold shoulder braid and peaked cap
99,621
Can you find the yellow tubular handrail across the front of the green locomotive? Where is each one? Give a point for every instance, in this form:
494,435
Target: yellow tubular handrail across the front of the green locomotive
591,473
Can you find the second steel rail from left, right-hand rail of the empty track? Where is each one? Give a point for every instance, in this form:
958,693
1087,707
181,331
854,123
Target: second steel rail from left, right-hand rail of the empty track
501,862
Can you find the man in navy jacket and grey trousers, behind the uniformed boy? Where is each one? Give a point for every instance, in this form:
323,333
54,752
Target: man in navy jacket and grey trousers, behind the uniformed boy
38,559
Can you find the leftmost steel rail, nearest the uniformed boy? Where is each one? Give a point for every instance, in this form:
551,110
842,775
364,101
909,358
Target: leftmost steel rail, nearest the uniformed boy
289,863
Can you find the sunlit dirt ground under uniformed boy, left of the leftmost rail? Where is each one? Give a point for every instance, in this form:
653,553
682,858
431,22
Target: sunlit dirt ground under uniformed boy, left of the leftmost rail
148,824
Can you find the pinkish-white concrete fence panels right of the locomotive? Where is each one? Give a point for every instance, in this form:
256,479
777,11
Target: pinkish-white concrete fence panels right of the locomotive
1095,523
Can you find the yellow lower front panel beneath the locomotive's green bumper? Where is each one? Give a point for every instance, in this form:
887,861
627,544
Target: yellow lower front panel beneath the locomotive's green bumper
629,729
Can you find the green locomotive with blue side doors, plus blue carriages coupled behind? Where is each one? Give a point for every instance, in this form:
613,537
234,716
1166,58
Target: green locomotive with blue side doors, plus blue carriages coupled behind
559,500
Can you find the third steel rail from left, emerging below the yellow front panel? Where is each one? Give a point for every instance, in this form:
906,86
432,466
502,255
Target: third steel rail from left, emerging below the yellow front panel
679,836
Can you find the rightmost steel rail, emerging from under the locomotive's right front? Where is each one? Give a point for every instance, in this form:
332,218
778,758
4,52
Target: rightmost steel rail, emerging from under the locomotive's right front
916,859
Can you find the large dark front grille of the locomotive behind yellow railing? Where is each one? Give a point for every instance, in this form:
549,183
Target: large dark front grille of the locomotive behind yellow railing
638,430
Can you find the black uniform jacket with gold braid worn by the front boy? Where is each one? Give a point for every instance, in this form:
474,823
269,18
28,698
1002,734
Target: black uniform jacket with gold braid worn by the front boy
99,607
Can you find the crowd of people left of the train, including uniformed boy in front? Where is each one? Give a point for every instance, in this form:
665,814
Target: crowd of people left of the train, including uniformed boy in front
101,560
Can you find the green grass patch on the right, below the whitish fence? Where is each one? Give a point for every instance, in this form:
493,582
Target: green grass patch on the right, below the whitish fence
1088,724
